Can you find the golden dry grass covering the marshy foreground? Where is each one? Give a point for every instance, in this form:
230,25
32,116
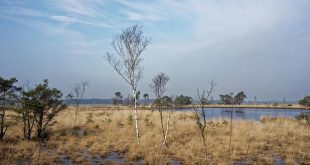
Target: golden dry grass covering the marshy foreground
113,130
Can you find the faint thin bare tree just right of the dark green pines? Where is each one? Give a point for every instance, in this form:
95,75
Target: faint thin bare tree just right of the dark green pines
76,95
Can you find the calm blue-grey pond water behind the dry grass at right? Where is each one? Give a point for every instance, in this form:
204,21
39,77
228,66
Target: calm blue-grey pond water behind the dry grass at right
249,113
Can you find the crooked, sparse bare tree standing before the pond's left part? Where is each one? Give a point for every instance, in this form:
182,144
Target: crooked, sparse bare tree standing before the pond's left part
201,116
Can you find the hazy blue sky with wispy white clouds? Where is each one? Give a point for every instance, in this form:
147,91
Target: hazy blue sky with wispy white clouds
261,47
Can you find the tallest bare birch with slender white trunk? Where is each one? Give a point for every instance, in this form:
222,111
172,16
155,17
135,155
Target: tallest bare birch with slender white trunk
126,61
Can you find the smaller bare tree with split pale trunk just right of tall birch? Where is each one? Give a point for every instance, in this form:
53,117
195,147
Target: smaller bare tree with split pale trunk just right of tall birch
158,87
